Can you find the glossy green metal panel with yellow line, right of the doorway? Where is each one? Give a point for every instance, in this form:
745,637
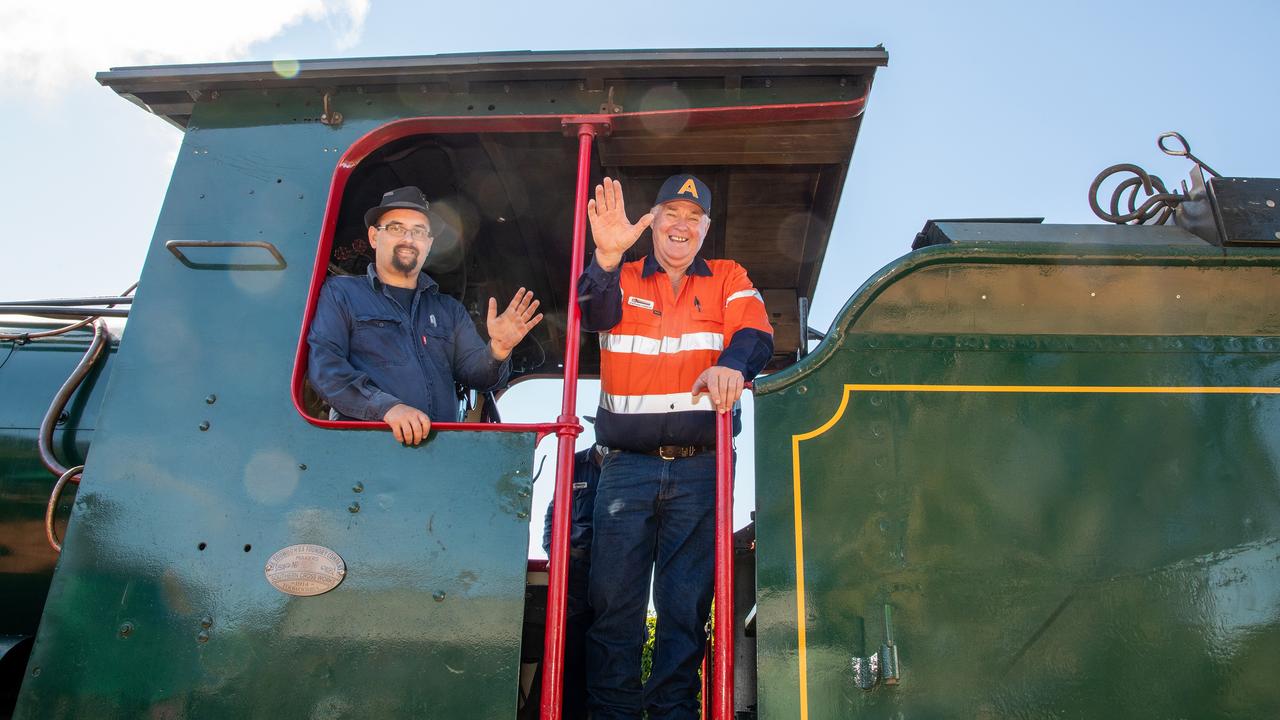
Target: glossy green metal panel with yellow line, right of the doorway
1046,553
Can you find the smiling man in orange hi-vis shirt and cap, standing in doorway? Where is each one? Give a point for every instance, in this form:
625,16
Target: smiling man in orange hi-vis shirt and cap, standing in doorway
679,339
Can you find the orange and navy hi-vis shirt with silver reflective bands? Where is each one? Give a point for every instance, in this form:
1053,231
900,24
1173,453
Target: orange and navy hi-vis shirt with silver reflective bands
655,343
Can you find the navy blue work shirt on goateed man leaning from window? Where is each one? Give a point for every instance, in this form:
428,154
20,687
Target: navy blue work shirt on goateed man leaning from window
368,354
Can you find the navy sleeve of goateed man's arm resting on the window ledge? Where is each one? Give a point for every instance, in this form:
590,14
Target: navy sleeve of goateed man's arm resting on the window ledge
330,368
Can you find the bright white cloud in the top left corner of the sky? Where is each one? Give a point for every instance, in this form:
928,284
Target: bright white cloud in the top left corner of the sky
44,48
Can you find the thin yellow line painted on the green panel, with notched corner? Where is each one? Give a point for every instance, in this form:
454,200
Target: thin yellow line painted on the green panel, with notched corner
844,405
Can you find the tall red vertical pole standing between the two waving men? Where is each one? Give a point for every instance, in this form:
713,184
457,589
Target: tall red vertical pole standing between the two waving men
554,644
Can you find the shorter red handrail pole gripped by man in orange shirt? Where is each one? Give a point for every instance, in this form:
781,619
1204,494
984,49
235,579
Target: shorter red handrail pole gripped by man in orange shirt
723,691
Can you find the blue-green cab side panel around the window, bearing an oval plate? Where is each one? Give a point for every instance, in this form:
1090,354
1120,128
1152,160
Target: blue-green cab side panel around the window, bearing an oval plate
173,523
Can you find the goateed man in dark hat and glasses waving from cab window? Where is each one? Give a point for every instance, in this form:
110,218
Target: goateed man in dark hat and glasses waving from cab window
390,347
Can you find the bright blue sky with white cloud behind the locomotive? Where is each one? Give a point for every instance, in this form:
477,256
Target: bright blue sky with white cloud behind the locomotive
986,110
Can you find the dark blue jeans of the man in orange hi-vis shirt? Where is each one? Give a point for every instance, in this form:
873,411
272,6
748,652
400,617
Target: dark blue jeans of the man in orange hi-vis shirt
652,517
